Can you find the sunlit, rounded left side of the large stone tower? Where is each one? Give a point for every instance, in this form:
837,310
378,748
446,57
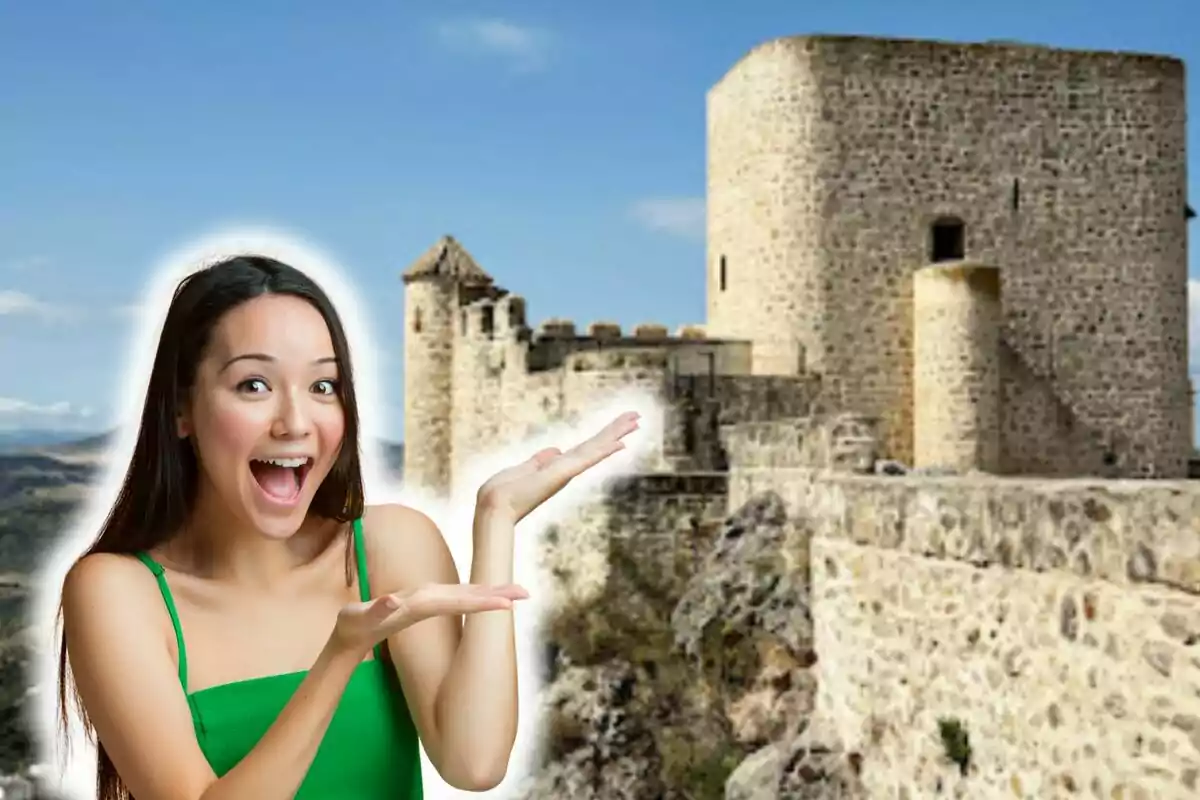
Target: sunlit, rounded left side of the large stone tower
765,274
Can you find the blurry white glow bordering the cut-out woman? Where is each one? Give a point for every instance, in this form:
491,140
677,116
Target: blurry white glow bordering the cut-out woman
77,765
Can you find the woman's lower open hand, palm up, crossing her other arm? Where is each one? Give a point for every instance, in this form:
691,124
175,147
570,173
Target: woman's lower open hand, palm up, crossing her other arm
361,627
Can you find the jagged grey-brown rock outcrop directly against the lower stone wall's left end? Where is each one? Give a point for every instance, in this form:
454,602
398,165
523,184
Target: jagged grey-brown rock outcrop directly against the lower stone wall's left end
749,607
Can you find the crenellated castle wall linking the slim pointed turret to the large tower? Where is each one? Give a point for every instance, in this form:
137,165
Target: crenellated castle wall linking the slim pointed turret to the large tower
508,387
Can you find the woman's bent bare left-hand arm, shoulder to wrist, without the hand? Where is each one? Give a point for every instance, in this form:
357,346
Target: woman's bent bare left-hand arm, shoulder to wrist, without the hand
129,683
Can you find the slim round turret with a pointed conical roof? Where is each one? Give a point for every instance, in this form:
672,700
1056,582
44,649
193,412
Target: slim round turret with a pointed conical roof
436,286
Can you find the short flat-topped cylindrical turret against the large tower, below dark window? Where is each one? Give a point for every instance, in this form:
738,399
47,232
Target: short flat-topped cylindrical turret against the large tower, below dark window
957,383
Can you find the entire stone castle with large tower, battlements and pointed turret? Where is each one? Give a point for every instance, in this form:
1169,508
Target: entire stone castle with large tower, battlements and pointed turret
981,248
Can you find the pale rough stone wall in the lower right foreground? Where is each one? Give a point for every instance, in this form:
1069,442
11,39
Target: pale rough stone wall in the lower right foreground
1057,622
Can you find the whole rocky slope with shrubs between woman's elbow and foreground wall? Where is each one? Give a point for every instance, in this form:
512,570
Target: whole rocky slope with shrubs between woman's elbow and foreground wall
675,661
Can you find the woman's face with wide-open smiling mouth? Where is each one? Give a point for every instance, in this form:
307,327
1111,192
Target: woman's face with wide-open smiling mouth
265,413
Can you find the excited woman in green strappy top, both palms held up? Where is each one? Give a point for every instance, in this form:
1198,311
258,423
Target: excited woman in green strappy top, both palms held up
242,522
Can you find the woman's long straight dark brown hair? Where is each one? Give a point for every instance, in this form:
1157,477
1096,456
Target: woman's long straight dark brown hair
160,485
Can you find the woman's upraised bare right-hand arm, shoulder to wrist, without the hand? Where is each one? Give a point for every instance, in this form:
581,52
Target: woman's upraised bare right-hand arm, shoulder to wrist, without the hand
460,681
